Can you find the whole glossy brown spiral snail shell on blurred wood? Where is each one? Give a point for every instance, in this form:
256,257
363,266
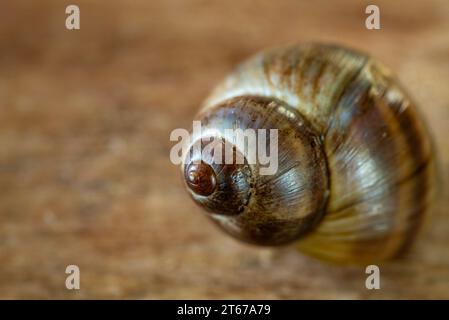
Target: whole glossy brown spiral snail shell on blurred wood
355,168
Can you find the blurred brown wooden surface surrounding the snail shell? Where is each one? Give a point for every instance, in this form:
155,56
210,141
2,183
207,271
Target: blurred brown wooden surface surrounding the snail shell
85,118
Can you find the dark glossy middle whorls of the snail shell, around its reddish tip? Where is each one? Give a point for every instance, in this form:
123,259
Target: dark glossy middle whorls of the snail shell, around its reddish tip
269,209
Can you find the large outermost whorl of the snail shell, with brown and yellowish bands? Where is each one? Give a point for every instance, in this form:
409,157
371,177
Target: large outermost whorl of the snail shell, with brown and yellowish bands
377,148
